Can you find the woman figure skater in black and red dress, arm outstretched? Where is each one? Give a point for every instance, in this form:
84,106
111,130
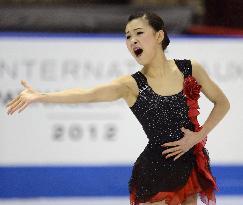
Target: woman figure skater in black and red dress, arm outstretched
163,95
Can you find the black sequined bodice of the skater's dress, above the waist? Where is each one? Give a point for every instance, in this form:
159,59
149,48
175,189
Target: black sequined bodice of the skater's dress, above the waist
161,116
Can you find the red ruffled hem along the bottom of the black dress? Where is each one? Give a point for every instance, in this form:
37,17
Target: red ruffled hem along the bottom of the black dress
177,197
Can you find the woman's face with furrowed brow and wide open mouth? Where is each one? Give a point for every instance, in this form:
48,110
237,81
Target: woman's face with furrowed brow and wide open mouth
142,41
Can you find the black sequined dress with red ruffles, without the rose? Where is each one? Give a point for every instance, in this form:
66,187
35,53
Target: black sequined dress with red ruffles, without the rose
153,176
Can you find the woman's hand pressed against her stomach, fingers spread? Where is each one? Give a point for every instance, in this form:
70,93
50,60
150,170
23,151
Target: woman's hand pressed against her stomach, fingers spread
180,147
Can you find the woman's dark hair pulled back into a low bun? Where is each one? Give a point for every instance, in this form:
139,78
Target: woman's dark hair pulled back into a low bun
155,22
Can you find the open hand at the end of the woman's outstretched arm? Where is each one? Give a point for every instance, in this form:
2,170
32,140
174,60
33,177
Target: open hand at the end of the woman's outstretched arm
26,97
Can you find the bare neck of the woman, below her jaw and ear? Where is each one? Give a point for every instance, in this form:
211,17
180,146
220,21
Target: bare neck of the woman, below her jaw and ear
158,67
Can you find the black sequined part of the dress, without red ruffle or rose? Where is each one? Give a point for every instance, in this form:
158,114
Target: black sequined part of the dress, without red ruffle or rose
161,118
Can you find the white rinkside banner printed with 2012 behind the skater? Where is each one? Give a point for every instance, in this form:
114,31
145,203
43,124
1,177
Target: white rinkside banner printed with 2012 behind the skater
104,132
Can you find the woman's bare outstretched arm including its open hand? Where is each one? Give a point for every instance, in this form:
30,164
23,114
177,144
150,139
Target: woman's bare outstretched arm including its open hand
114,90
